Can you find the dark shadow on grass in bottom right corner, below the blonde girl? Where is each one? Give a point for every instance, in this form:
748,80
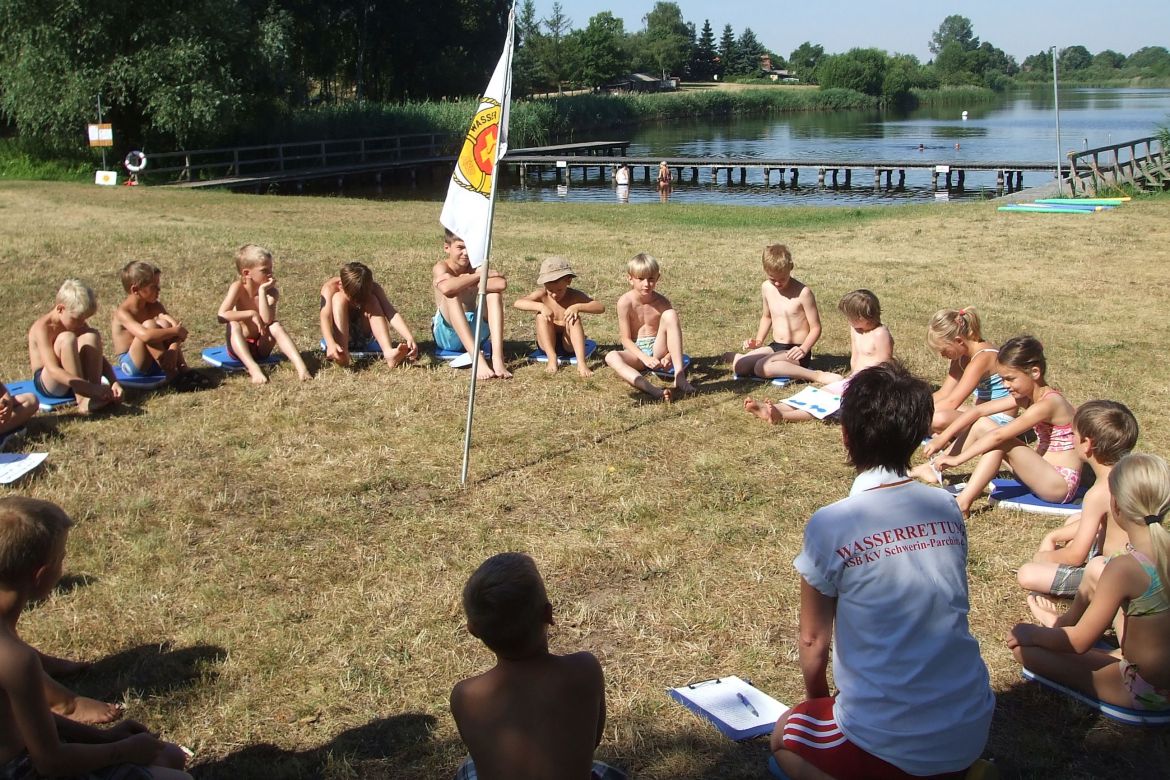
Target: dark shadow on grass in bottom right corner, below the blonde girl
1041,734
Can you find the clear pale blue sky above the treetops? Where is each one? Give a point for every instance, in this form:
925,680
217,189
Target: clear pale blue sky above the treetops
905,26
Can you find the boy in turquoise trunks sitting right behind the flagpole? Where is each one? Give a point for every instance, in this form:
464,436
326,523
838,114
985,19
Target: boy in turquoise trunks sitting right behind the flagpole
457,284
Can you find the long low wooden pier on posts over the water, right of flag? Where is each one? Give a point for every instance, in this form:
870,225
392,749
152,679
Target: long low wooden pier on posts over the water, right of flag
836,174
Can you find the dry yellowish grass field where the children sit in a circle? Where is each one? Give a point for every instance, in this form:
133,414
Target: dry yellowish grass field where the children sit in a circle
271,576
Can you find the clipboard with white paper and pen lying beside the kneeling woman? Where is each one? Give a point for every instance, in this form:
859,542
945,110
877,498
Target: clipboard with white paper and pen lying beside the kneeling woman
735,707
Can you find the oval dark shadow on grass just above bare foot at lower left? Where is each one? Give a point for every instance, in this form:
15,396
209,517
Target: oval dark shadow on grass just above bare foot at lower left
148,671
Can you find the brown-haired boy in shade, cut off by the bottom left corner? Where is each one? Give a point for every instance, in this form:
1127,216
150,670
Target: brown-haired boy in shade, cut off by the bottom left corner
35,742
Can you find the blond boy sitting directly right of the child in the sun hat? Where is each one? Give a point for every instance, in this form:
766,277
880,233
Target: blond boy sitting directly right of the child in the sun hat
651,333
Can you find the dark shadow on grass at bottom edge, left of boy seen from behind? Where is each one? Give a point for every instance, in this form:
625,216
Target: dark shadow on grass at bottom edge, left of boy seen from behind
390,748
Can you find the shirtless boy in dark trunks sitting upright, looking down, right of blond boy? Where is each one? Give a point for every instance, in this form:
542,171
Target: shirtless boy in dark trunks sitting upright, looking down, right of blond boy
793,319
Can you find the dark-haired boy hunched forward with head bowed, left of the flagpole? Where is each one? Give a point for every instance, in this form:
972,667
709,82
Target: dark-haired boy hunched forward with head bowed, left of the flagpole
355,312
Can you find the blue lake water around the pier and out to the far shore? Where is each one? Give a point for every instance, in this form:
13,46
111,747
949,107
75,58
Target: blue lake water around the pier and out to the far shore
1018,127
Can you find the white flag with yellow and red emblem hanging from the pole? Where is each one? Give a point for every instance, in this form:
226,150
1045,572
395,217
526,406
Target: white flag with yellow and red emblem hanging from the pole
467,211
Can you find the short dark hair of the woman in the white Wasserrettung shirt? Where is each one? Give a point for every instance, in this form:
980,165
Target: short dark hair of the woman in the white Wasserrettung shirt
886,413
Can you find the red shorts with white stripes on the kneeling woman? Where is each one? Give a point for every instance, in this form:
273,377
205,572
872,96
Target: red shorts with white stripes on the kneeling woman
813,734
